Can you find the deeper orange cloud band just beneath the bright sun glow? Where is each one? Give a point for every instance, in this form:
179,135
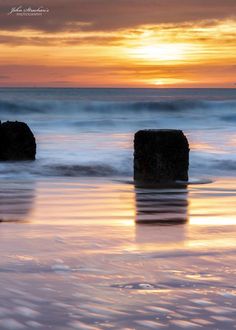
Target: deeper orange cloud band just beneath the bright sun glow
65,74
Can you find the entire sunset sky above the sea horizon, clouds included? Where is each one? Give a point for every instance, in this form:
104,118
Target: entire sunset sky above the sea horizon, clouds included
118,43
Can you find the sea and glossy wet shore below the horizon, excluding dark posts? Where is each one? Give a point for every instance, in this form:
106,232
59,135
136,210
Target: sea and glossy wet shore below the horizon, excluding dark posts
73,253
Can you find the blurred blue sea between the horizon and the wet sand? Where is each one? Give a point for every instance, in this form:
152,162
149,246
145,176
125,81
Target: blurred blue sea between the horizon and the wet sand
89,132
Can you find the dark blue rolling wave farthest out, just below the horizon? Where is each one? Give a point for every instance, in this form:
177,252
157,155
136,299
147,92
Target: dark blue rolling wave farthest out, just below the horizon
73,107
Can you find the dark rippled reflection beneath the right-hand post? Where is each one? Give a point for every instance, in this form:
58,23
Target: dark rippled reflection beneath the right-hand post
164,205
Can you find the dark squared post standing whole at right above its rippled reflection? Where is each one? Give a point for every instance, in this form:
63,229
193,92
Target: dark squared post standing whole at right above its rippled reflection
160,155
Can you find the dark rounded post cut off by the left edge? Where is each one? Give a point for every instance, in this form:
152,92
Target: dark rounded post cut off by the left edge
17,142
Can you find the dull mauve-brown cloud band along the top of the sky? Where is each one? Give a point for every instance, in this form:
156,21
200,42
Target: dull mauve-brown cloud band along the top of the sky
108,15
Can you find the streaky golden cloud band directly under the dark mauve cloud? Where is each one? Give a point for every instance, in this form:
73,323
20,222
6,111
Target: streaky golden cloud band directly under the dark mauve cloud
204,32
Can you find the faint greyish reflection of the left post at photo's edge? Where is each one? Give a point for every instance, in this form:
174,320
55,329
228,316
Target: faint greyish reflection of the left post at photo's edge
16,201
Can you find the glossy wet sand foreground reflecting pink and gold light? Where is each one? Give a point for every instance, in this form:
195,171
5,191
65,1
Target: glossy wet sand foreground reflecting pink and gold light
75,255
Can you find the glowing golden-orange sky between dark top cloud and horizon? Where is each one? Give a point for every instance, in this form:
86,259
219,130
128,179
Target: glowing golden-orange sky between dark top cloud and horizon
199,54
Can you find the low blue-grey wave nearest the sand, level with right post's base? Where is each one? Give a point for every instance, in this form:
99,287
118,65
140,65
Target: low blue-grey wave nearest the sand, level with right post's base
224,167
